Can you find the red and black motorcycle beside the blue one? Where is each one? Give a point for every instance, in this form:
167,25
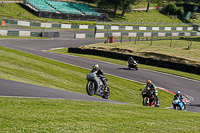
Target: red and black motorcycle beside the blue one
148,98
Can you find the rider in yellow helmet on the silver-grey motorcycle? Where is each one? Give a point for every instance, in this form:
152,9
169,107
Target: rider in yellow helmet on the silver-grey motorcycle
99,73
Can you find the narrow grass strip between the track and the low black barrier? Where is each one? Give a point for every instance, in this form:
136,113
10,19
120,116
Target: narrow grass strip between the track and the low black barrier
159,69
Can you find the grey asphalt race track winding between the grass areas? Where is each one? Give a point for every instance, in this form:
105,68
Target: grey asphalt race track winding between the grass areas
189,87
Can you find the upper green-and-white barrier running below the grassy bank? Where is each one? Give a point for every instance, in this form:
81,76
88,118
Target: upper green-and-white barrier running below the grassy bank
103,27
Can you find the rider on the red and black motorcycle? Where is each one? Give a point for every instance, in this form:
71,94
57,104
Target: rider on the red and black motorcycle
154,90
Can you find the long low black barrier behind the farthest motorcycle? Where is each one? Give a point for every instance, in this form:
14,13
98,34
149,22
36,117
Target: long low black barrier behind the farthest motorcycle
147,61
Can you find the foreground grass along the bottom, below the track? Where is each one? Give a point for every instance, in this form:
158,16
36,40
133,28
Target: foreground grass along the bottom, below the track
46,115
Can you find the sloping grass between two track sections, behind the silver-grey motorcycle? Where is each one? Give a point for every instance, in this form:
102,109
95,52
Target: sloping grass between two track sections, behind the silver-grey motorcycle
22,67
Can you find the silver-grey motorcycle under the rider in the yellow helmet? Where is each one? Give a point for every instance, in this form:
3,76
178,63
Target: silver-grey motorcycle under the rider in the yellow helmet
96,87
